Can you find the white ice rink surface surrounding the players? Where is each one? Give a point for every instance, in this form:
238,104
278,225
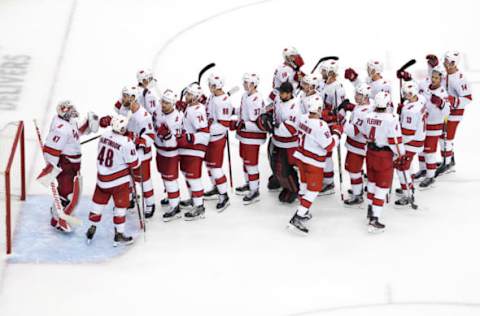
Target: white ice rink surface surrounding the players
243,261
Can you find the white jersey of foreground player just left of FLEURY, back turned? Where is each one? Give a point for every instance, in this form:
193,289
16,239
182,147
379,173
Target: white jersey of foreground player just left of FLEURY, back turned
315,141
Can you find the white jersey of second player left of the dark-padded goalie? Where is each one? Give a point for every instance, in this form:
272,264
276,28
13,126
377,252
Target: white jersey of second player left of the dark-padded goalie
219,111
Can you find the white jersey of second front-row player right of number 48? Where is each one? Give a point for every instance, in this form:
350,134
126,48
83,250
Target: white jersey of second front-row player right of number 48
173,121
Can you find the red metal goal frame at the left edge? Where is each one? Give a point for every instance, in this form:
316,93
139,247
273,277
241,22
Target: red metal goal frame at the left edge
19,139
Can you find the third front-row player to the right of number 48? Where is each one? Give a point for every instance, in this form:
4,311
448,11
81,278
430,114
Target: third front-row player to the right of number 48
192,146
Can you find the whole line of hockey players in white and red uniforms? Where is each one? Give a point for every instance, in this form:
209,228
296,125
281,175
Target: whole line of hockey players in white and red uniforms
303,120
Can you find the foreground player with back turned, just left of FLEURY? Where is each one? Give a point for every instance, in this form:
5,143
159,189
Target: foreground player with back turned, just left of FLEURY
315,142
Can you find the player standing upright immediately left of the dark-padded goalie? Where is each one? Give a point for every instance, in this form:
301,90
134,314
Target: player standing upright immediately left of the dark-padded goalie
251,135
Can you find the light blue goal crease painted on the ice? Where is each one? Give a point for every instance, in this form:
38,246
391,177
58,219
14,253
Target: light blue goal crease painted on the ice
35,241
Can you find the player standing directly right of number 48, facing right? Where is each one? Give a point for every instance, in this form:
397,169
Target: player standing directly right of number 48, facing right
140,126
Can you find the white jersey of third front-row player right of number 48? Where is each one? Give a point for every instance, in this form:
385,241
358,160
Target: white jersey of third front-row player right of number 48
195,122
